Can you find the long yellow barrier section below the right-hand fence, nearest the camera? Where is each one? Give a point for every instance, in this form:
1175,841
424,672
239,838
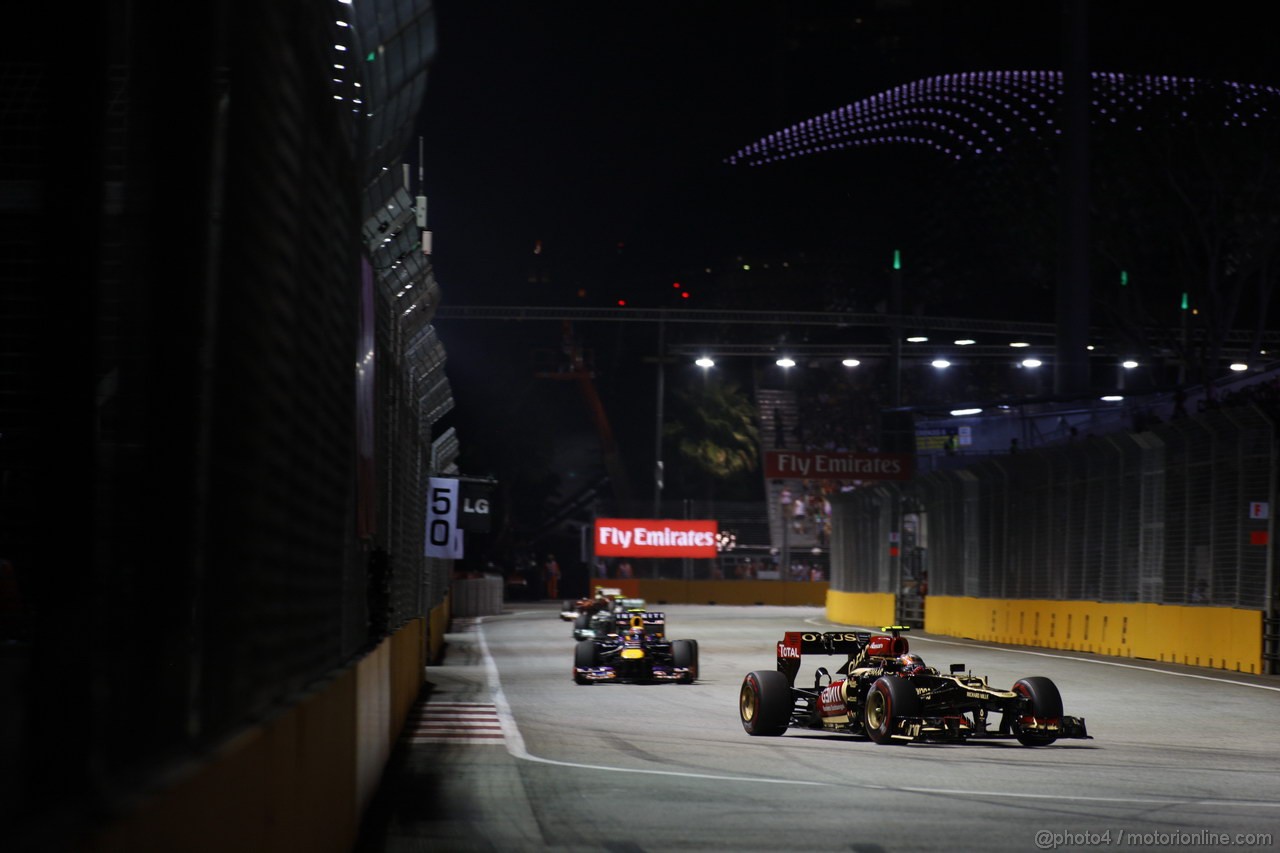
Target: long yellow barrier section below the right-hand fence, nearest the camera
1222,638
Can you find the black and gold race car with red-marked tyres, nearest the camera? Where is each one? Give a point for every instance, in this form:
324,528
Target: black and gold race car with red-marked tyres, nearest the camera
890,696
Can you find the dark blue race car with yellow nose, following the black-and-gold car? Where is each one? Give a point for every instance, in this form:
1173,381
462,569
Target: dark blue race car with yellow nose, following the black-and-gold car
636,649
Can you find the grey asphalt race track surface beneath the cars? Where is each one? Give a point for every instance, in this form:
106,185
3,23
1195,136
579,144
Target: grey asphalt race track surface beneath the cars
508,754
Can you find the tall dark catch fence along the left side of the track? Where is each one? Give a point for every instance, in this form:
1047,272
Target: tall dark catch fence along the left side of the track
212,499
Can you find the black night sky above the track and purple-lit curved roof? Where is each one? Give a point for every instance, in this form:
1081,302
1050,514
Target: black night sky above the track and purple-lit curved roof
600,134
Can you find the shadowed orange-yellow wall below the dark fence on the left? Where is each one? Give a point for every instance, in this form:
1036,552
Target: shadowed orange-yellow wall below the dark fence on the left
301,781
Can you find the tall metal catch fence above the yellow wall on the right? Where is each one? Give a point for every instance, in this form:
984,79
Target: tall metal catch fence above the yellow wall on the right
1178,514
